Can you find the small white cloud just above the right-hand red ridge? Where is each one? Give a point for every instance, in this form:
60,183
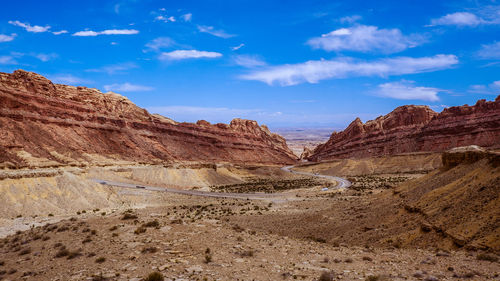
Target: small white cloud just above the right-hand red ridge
405,90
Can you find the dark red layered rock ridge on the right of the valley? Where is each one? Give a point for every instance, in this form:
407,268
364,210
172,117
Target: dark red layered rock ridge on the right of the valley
413,128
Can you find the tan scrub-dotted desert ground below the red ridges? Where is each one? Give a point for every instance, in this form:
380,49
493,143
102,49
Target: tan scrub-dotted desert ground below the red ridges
295,231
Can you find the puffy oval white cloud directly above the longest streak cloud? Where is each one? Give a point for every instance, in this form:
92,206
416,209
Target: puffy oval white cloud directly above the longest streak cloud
364,38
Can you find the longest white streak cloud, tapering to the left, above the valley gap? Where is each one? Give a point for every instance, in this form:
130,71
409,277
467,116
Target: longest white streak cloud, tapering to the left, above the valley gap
314,71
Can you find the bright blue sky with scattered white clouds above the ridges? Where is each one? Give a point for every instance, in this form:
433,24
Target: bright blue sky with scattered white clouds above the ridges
282,63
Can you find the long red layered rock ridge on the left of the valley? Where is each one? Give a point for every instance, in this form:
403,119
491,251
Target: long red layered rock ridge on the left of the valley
45,124
